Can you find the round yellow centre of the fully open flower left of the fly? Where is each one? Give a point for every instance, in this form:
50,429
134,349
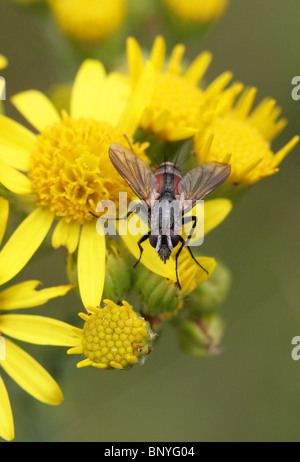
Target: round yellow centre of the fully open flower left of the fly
71,170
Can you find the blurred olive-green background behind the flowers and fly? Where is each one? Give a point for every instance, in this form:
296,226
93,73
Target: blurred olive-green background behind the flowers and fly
251,391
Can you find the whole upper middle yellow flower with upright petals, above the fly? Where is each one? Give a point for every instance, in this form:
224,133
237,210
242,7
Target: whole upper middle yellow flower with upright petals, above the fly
177,103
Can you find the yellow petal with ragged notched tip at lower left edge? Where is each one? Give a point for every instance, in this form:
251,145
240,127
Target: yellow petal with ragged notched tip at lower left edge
25,295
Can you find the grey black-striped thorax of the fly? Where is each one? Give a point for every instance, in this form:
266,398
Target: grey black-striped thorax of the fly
166,215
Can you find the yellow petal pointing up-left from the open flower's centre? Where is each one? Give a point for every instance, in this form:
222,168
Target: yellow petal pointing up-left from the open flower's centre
36,108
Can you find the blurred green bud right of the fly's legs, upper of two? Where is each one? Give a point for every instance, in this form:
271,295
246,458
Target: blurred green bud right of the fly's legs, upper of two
211,294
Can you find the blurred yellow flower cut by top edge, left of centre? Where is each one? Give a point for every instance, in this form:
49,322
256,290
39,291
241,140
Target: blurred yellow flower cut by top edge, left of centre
89,21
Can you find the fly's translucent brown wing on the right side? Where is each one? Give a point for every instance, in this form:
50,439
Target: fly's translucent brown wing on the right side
201,181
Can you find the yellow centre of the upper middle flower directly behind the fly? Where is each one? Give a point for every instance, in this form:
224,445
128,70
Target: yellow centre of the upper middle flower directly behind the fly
177,96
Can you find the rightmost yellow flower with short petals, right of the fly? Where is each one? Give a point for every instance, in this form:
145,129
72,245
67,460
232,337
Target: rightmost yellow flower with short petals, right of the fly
233,129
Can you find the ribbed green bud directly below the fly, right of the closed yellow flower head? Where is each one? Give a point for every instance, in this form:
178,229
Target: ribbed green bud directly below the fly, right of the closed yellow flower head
157,295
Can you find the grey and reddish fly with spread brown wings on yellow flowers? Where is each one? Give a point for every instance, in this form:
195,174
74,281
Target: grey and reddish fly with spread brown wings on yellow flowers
163,186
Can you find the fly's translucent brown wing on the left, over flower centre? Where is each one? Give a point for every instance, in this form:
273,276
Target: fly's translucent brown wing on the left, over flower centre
135,172
